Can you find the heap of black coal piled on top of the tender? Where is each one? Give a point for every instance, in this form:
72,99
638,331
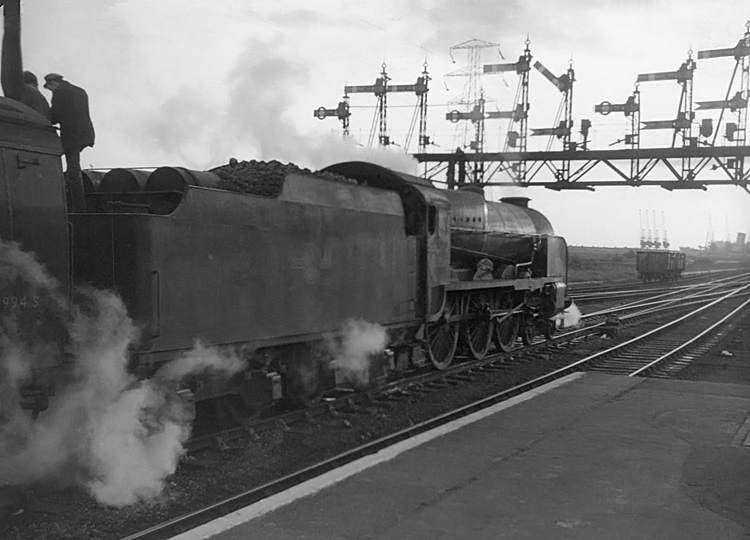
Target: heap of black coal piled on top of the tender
264,178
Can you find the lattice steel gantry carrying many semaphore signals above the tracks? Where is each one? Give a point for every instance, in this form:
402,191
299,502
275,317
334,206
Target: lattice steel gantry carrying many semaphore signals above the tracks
696,158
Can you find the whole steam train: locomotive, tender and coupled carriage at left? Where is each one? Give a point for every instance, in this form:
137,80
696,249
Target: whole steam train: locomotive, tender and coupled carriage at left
275,276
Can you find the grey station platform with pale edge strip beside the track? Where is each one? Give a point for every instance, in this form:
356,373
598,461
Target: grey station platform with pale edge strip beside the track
590,456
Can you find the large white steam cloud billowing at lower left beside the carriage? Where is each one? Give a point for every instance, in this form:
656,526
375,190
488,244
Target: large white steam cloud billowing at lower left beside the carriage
106,430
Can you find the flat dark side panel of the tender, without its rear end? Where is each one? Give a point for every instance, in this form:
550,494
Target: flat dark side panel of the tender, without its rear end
270,270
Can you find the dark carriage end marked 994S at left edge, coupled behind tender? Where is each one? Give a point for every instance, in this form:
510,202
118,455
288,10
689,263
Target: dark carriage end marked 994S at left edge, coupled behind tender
33,214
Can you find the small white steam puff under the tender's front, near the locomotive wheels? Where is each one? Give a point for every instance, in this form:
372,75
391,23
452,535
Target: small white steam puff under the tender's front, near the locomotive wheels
356,354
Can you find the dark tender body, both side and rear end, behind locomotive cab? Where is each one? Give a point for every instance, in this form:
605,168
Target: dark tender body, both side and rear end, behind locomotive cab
228,267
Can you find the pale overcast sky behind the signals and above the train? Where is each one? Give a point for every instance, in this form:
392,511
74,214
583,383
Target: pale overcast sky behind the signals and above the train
195,82
